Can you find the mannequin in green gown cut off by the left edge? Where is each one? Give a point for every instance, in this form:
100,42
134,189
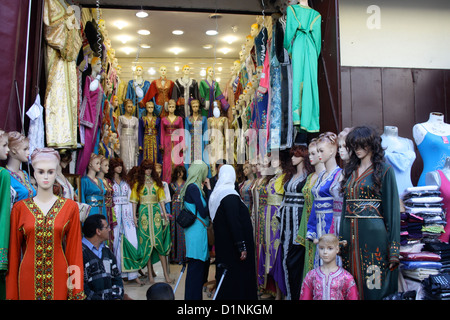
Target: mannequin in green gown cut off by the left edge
5,211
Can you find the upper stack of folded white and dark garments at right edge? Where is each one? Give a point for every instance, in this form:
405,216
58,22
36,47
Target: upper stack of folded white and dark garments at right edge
424,205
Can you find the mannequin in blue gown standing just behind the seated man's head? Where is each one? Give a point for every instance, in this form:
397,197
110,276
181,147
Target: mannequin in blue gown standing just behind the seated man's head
92,188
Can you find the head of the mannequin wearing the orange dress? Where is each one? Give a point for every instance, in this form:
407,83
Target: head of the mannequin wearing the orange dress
45,162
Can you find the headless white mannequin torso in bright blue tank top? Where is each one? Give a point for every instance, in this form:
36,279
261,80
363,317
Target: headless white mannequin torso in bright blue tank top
432,139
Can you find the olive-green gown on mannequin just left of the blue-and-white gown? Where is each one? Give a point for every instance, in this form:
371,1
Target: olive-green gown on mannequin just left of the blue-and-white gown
310,247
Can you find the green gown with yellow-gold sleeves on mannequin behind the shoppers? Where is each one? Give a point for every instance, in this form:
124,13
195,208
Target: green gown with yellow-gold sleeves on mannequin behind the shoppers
152,233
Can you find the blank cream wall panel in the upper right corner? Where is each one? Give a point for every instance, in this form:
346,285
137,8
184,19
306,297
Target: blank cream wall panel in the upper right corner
395,33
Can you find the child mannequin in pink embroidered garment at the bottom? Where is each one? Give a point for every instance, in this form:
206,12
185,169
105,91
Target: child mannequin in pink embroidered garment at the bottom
329,281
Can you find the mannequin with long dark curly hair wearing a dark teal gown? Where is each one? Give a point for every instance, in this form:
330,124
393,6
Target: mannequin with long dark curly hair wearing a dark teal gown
370,222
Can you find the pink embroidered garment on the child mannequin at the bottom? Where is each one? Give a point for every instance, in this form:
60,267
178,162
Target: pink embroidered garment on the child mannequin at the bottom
338,285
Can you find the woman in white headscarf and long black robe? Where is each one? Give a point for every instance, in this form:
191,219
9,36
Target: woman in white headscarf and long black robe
234,245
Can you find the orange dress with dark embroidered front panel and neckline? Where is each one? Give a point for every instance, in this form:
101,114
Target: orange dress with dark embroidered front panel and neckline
49,245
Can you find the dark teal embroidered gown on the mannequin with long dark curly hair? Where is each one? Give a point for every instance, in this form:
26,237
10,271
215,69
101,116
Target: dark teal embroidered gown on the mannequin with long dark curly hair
371,226
